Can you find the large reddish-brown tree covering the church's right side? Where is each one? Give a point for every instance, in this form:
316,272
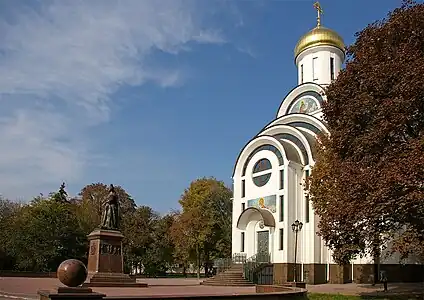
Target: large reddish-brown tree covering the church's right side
367,184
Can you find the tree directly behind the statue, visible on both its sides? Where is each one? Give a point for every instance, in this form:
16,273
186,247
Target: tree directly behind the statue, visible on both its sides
91,204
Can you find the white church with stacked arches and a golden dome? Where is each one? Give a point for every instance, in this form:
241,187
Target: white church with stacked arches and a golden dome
272,212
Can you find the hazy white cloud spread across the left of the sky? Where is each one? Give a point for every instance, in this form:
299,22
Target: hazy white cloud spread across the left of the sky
59,65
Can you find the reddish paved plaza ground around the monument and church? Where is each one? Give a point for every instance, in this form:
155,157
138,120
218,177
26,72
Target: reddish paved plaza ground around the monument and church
26,288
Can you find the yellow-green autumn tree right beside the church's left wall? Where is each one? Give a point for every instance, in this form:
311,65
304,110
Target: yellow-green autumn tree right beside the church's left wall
204,226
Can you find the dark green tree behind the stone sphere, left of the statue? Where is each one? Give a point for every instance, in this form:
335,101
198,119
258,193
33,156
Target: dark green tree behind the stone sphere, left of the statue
46,232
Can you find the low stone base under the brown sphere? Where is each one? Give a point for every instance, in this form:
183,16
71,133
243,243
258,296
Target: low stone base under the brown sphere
77,293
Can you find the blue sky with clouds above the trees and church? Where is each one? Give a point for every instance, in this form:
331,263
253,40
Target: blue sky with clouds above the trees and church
149,95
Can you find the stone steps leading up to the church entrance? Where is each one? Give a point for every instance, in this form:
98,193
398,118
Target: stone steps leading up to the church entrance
233,276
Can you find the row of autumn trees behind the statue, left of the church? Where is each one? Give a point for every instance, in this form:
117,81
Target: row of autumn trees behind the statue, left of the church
39,235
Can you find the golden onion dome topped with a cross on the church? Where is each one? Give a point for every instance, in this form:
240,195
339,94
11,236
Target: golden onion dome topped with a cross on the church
319,36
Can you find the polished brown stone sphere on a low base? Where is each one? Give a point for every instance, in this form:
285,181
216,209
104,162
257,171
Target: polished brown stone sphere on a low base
72,272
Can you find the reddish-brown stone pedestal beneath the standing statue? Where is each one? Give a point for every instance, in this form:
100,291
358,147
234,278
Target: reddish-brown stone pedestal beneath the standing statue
105,261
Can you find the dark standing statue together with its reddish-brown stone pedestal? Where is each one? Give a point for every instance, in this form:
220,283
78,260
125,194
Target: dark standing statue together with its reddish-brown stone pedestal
105,259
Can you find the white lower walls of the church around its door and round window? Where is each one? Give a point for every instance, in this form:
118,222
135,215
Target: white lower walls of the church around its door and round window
294,209
